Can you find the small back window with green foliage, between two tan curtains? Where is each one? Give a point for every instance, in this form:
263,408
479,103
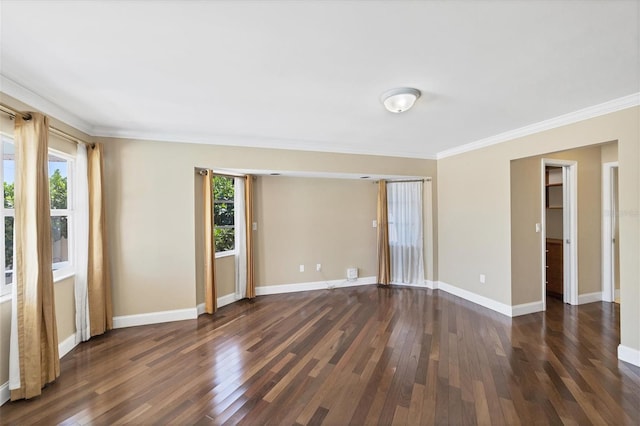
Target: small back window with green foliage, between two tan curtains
223,213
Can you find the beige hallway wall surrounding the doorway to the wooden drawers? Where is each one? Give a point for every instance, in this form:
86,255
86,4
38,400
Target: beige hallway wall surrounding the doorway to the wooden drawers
526,200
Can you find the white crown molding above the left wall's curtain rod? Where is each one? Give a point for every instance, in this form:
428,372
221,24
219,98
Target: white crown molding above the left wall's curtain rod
43,105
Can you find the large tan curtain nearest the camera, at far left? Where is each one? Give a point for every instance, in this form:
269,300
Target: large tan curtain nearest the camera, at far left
37,338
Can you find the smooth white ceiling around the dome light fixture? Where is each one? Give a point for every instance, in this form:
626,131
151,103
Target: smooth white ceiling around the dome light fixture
308,74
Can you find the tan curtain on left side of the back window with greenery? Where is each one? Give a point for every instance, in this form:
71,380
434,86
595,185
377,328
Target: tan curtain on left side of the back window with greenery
209,245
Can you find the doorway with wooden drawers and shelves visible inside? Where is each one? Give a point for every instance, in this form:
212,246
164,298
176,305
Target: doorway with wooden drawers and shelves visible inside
559,226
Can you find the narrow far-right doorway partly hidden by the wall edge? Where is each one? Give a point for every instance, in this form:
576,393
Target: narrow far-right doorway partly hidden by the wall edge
610,233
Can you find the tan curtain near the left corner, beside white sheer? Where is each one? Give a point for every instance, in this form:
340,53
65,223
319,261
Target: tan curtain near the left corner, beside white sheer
98,278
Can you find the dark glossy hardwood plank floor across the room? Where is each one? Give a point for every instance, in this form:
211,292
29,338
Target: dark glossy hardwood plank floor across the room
362,355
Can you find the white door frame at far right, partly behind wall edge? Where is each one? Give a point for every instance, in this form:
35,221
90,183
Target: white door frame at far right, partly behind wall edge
608,281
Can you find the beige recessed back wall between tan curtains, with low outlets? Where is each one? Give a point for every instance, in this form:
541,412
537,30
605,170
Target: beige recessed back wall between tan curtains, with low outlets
306,221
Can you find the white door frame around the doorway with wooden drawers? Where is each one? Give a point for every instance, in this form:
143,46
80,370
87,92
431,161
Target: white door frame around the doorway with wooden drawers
570,229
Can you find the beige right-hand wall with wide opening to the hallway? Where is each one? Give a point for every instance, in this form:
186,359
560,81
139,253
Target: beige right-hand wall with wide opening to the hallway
474,210
